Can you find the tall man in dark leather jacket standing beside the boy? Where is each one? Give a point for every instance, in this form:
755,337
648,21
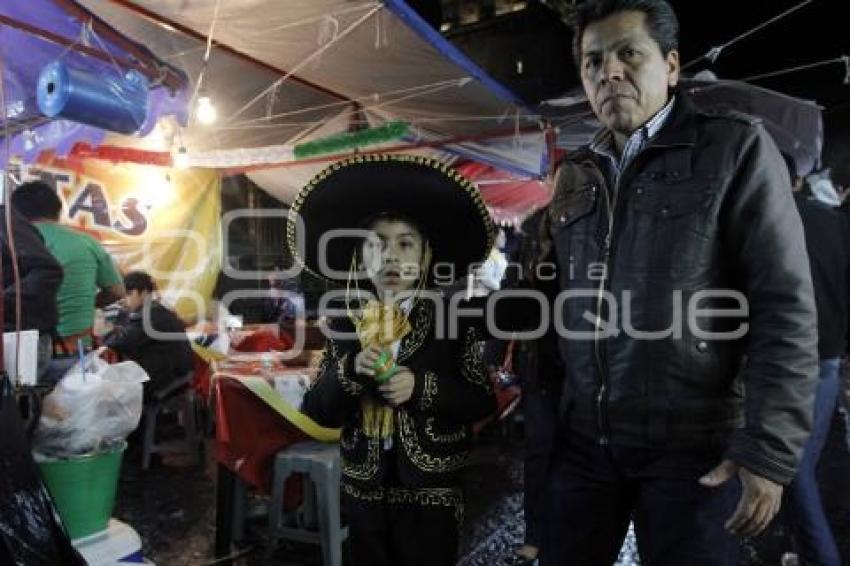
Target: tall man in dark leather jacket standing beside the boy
687,326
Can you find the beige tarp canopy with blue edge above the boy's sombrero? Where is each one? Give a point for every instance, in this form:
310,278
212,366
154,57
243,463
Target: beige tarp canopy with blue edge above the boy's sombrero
281,75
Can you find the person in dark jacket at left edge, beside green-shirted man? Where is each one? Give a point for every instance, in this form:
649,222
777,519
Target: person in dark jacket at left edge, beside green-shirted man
40,280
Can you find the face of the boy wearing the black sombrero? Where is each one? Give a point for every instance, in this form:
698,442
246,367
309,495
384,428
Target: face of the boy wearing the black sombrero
393,257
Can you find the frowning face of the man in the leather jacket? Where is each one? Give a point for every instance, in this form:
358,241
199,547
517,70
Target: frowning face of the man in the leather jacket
624,74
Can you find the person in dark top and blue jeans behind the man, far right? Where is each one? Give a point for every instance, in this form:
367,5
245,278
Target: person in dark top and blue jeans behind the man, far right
828,246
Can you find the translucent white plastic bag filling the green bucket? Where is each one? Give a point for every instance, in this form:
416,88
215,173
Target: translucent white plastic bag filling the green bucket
93,408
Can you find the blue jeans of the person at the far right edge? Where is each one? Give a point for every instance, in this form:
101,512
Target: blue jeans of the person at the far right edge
815,543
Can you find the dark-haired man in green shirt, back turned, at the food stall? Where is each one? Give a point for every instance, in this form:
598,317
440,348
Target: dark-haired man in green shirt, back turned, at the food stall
91,279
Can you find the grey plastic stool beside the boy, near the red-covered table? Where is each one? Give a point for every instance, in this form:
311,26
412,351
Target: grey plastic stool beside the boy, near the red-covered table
321,465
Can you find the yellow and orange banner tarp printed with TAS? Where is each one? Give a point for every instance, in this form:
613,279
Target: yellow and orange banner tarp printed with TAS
158,220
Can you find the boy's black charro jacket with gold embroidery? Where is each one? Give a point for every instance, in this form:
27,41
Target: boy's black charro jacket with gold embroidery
432,430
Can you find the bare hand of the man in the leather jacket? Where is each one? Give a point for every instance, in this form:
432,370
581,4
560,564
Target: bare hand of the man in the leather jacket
759,503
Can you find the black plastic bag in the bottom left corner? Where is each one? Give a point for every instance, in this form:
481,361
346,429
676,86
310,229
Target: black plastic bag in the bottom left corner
31,533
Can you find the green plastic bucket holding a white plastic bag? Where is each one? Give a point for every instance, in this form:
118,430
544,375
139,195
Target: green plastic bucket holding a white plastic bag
83,488
